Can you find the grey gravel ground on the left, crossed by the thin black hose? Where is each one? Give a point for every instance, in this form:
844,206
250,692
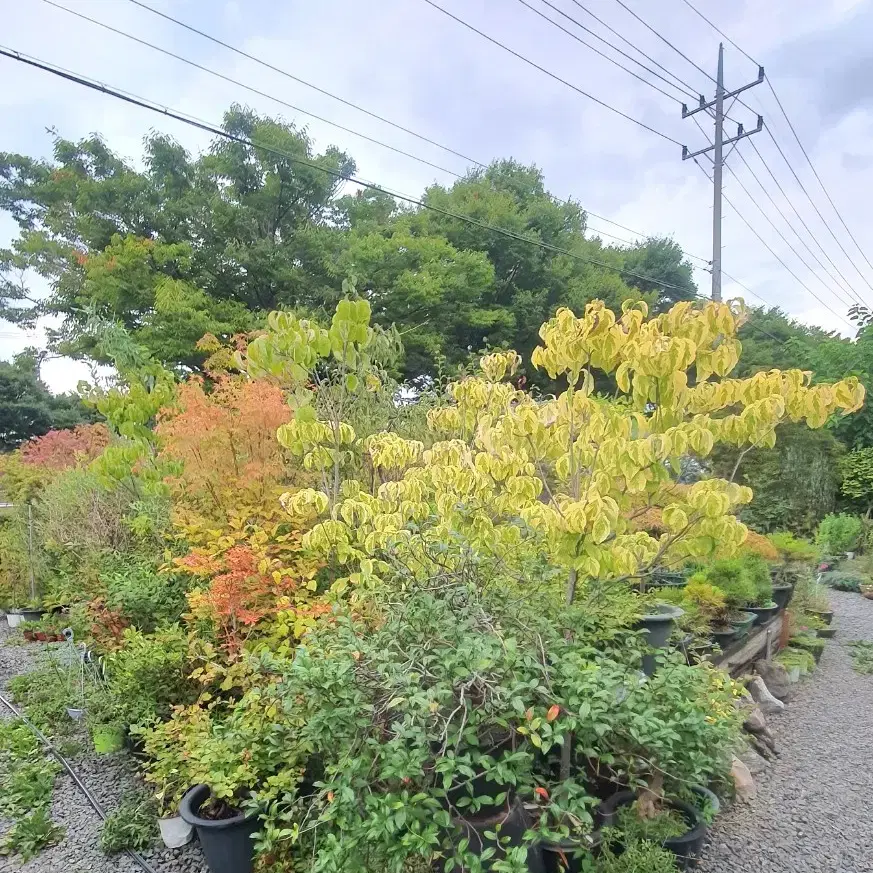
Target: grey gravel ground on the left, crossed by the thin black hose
107,777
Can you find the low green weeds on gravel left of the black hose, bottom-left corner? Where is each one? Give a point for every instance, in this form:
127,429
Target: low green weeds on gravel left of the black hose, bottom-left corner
26,782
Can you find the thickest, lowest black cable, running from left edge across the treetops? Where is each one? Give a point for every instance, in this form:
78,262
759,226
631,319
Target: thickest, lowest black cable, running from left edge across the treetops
143,103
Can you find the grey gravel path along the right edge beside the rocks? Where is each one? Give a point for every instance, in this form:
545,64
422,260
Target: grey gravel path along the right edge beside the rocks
813,812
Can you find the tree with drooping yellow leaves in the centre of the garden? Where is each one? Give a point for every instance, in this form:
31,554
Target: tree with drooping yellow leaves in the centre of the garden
567,472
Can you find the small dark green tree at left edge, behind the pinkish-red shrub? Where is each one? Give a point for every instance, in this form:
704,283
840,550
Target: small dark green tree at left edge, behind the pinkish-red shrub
27,408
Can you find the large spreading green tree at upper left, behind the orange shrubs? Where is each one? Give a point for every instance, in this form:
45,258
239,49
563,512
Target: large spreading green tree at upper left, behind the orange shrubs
196,241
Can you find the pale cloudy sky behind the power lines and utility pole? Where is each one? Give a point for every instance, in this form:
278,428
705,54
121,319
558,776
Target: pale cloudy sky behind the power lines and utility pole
410,63
